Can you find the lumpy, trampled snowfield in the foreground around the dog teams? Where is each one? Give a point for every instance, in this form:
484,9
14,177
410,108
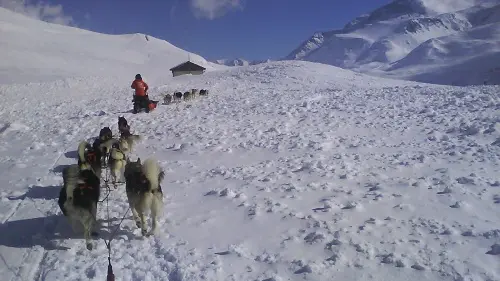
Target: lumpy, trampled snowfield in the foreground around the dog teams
286,171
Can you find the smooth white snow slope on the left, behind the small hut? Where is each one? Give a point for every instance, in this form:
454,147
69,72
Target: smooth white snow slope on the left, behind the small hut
40,51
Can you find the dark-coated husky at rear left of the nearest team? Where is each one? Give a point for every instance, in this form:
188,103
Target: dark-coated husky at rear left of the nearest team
78,199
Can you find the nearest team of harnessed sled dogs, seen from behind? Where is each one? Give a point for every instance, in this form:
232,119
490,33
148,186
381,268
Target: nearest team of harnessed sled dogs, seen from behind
81,190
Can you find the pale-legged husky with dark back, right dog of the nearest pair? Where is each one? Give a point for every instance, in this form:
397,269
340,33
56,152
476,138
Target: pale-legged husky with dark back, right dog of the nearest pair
144,191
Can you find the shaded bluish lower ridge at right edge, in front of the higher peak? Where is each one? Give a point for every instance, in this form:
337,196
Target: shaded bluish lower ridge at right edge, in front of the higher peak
462,59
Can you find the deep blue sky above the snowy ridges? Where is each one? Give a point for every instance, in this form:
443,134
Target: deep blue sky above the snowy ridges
251,29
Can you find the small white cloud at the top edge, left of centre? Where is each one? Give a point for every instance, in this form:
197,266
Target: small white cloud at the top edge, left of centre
212,9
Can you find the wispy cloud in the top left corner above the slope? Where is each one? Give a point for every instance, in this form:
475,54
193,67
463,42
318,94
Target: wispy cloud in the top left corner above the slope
40,10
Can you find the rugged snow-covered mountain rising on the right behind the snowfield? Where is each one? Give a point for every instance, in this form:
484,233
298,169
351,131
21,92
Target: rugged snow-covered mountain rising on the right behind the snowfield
400,40
